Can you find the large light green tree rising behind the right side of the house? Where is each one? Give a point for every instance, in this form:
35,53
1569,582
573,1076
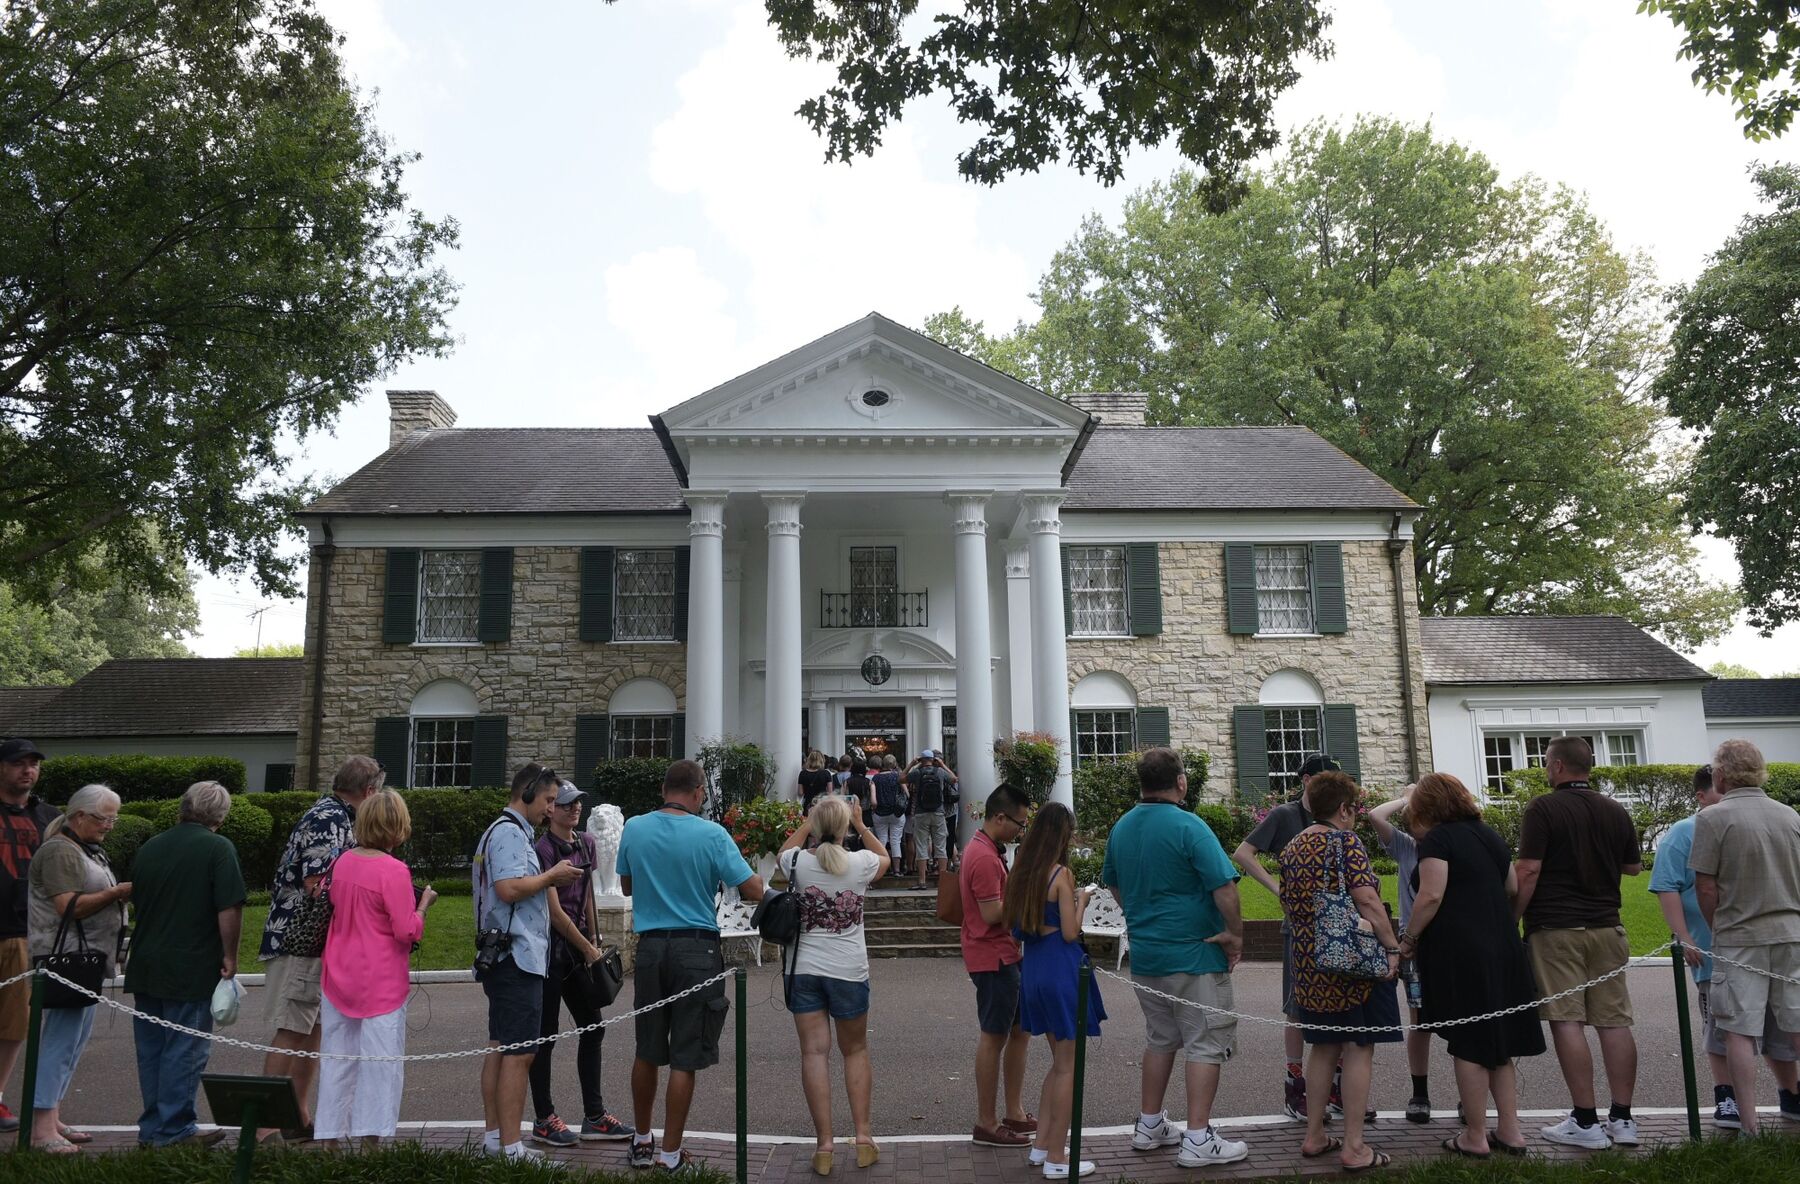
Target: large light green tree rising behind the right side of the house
1480,346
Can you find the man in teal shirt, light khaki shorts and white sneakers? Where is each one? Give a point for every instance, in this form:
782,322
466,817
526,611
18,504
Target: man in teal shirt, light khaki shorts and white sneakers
1187,933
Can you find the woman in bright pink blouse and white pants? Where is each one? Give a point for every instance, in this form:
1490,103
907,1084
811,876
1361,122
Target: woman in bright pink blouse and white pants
375,922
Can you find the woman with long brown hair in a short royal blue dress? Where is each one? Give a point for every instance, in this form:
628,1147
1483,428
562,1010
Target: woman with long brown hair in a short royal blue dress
1045,911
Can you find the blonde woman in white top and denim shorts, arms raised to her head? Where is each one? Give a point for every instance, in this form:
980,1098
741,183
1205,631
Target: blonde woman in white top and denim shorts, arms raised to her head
832,967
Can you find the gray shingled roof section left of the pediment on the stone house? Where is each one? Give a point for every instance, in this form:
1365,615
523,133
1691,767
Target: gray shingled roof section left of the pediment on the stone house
514,472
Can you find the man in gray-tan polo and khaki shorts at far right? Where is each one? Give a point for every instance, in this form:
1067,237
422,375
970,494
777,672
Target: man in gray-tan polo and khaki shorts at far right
1747,879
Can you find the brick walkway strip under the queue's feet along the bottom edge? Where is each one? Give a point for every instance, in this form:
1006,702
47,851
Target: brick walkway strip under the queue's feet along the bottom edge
1275,1153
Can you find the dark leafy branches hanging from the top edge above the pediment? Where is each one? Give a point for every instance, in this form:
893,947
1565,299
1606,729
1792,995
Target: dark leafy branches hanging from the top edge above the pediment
1052,80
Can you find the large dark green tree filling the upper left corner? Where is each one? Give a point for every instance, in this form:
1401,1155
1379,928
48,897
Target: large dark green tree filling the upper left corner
204,249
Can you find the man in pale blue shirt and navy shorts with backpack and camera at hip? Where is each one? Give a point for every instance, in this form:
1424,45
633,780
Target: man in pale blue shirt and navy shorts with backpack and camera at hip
512,949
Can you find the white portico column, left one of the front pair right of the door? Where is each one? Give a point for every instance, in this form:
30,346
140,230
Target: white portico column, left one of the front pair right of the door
975,649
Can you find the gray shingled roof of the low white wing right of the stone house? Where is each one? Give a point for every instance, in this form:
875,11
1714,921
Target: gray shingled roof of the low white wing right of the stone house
1547,650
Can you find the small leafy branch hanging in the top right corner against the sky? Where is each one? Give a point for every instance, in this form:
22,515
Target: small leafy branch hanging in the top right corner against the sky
1743,49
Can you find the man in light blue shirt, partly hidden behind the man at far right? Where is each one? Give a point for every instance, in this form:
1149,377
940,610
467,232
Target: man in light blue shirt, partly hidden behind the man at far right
1673,883
